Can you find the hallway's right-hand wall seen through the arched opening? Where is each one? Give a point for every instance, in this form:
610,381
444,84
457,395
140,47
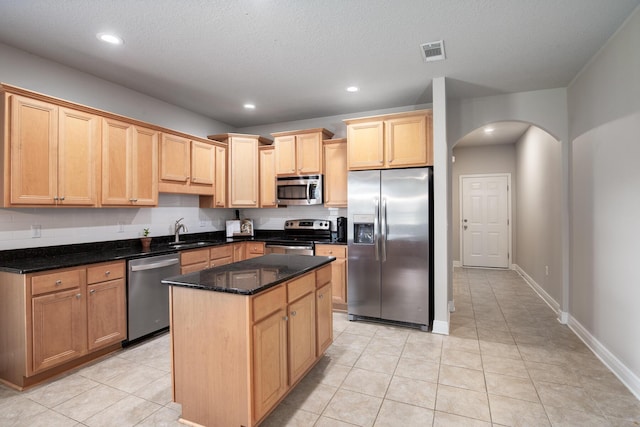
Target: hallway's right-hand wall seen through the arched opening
539,205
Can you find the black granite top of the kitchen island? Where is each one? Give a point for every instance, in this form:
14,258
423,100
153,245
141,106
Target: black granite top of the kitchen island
251,276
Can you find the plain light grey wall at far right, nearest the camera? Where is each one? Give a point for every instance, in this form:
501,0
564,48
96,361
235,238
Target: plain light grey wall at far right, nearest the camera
604,111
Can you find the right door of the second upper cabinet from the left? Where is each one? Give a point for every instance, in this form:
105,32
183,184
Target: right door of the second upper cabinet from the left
145,167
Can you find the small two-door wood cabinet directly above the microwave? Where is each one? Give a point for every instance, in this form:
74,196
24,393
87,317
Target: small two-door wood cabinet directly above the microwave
300,152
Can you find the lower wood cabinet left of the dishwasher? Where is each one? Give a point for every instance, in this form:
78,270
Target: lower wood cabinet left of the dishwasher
58,320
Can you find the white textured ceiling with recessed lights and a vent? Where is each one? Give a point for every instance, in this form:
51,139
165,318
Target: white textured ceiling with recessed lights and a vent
294,58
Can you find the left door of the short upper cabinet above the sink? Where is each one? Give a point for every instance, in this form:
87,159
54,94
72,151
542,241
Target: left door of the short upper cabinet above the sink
175,161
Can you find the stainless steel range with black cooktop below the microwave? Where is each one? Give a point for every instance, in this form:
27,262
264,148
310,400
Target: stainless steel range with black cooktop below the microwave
299,237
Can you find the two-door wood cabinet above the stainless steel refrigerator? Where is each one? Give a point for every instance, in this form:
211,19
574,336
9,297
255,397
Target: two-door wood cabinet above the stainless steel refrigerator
390,141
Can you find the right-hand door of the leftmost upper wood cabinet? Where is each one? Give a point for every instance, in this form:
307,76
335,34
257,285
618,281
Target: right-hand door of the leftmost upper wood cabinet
78,158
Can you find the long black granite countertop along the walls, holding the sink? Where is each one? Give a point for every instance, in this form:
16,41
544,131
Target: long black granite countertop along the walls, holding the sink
32,260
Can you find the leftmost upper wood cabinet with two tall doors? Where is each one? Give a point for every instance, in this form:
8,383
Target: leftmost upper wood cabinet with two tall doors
51,154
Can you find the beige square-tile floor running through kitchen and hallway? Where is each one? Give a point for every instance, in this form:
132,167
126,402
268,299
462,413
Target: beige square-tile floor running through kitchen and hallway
507,362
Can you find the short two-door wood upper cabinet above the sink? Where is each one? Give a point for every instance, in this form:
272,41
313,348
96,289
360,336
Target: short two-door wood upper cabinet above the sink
187,166
